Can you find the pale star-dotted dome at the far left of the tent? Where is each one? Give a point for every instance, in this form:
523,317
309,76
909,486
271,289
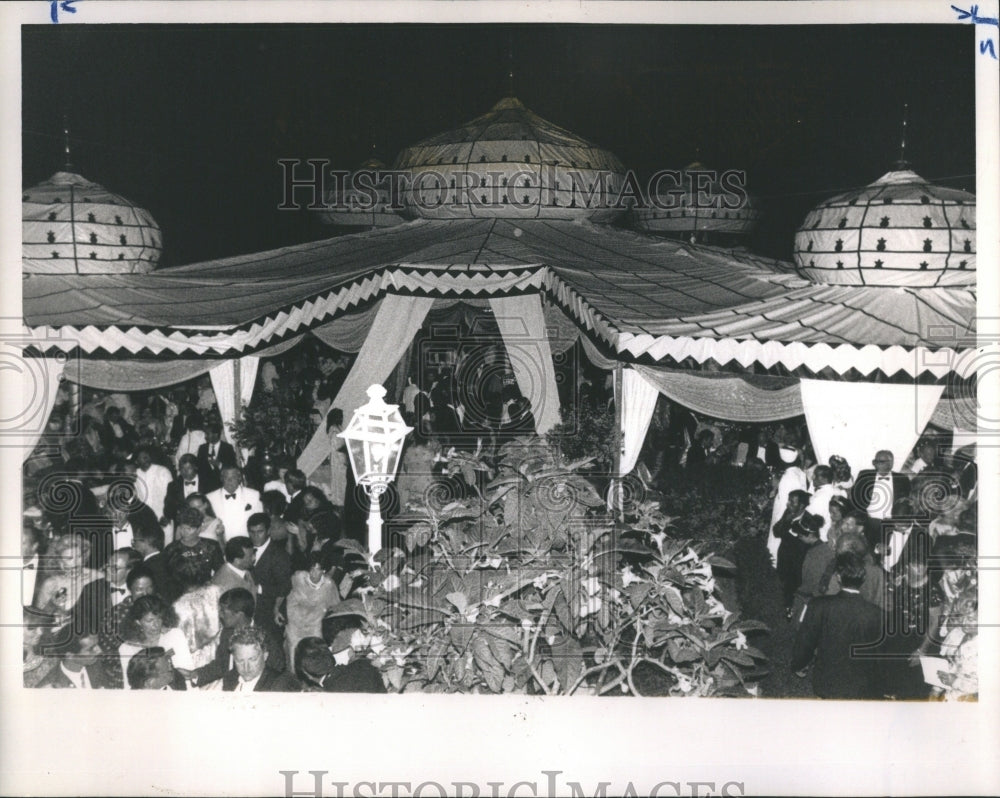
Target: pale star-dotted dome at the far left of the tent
73,226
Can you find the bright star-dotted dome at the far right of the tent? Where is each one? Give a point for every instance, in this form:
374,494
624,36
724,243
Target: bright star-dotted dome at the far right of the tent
899,230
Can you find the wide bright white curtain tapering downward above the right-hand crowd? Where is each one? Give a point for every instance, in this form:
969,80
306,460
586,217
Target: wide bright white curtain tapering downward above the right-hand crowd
857,419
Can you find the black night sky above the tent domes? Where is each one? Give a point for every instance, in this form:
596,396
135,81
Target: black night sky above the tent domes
190,121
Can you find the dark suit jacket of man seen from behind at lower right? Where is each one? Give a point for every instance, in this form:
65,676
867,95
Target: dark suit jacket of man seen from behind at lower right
832,626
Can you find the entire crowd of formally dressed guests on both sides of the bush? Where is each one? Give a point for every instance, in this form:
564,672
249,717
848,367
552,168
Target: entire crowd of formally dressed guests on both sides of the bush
159,554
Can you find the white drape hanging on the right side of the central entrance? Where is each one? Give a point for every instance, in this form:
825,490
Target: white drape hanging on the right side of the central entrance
522,326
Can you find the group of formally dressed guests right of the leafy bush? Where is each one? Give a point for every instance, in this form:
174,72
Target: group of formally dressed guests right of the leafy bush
878,572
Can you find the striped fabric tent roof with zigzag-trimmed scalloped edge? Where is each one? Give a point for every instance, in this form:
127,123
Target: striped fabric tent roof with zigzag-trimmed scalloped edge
641,296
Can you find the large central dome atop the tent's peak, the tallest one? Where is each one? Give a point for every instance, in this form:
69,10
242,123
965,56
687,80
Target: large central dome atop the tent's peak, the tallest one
510,163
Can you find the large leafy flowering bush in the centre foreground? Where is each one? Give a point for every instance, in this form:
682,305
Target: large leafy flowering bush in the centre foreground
526,585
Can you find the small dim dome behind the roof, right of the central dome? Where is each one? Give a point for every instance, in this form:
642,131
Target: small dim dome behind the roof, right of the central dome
699,207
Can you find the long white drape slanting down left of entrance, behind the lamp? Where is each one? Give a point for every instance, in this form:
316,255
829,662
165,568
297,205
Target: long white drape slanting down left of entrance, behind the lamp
396,323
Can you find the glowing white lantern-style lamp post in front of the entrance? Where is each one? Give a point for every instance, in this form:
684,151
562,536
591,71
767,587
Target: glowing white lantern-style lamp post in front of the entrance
374,439
